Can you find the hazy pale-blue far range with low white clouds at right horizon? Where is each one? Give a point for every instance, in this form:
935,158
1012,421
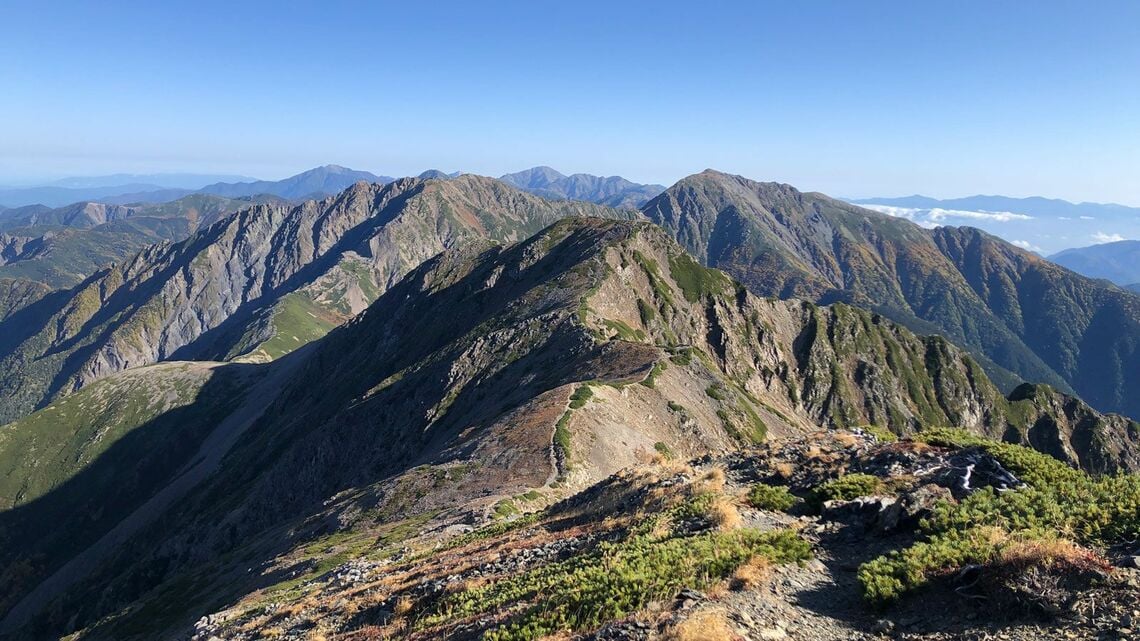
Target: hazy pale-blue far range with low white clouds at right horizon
1040,225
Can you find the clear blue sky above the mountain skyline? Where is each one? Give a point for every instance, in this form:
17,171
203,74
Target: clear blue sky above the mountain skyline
854,99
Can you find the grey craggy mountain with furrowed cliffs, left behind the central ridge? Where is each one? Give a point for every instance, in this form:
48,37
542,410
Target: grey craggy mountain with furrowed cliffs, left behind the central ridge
217,294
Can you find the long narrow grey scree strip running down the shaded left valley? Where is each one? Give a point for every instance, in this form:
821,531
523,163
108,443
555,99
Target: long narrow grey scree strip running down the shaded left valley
205,464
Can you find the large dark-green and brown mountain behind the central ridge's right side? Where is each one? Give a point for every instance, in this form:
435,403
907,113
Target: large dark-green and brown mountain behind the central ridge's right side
1019,313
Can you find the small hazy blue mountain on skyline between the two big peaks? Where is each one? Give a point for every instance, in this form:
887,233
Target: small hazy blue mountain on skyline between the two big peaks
612,191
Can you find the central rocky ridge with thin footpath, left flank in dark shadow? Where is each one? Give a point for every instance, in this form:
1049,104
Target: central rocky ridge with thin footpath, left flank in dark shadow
492,377
